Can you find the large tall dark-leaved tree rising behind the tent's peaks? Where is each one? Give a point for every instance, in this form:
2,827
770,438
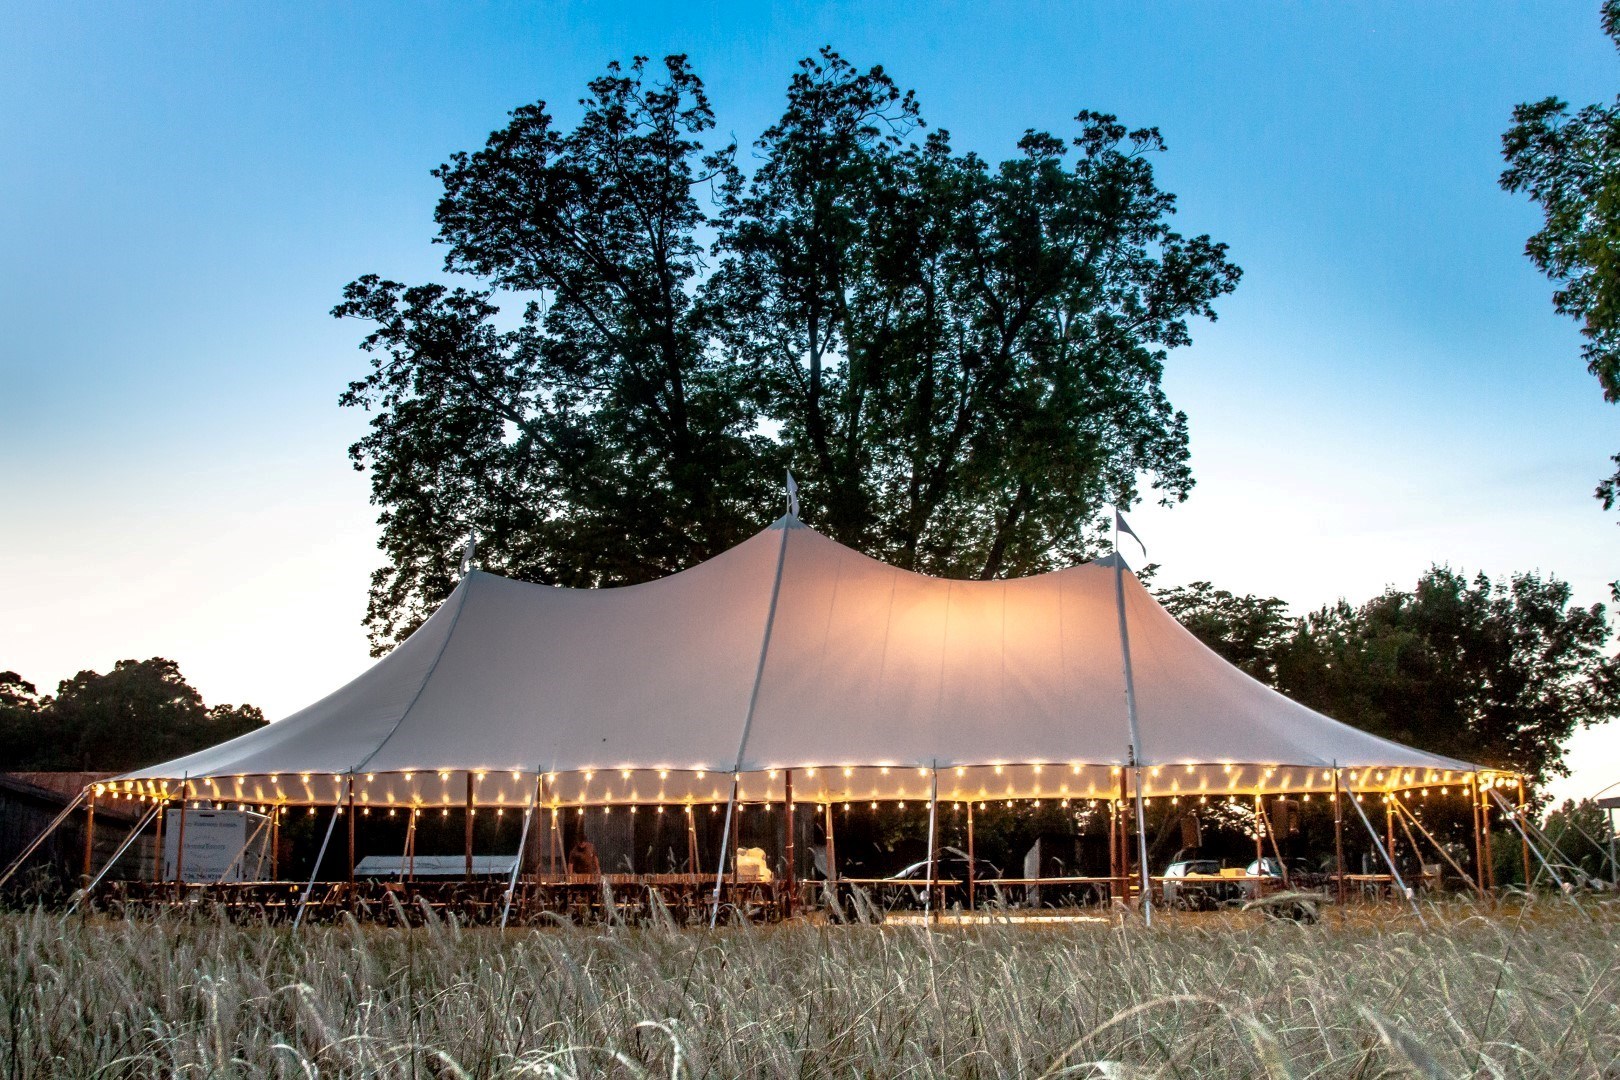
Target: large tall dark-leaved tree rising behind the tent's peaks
961,359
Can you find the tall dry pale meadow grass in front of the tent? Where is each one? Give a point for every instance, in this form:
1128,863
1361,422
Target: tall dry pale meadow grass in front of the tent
1507,993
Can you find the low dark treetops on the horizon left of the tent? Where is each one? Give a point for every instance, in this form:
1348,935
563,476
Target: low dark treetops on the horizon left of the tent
137,715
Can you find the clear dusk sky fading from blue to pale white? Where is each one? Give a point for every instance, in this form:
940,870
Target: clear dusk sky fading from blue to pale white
185,190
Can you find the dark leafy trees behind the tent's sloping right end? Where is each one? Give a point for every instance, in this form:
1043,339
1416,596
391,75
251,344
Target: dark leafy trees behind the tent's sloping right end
1494,673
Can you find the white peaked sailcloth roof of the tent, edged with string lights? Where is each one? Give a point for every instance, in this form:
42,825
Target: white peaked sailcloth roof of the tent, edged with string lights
793,653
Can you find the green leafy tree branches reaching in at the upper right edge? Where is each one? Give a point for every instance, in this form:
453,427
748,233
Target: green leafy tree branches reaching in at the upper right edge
1571,166
